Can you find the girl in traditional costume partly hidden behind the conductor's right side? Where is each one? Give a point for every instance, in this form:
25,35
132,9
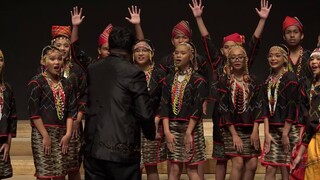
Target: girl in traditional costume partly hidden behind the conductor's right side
153,152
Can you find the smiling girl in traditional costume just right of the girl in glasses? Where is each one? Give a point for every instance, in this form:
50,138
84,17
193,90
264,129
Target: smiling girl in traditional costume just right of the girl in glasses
280,92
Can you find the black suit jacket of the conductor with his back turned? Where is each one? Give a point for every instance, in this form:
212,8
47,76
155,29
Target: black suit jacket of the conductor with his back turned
119,108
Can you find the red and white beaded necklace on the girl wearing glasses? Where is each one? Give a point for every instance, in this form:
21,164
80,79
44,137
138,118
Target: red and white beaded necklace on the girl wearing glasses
240,94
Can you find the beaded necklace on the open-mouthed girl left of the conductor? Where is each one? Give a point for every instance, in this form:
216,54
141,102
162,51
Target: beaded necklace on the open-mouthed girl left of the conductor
58,96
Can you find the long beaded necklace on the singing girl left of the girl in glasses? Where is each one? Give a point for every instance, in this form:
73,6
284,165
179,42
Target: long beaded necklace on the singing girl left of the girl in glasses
178,91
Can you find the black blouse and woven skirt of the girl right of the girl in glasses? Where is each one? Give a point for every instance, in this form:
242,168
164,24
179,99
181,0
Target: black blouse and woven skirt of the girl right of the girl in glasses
281,106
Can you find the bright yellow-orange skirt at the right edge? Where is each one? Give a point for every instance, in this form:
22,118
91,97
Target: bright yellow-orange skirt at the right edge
313,162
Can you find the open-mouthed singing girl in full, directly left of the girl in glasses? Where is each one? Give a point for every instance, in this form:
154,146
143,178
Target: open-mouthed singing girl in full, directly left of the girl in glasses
183,94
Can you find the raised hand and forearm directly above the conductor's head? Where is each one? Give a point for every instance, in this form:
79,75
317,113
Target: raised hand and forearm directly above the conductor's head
134,12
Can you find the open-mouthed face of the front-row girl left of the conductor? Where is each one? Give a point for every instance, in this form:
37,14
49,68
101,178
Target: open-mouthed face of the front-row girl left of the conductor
52,62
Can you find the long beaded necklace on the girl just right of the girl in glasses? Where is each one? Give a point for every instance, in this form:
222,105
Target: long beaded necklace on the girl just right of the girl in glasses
273,89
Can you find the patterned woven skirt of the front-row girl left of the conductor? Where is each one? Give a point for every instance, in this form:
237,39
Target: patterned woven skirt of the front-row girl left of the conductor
55,164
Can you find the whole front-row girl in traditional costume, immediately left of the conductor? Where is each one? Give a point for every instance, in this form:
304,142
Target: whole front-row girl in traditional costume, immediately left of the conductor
52,108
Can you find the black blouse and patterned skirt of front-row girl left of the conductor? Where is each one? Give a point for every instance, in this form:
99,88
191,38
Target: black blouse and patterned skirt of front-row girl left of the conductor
53,104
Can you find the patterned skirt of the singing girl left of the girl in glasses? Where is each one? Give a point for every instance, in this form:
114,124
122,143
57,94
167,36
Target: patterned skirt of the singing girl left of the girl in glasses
197,153
